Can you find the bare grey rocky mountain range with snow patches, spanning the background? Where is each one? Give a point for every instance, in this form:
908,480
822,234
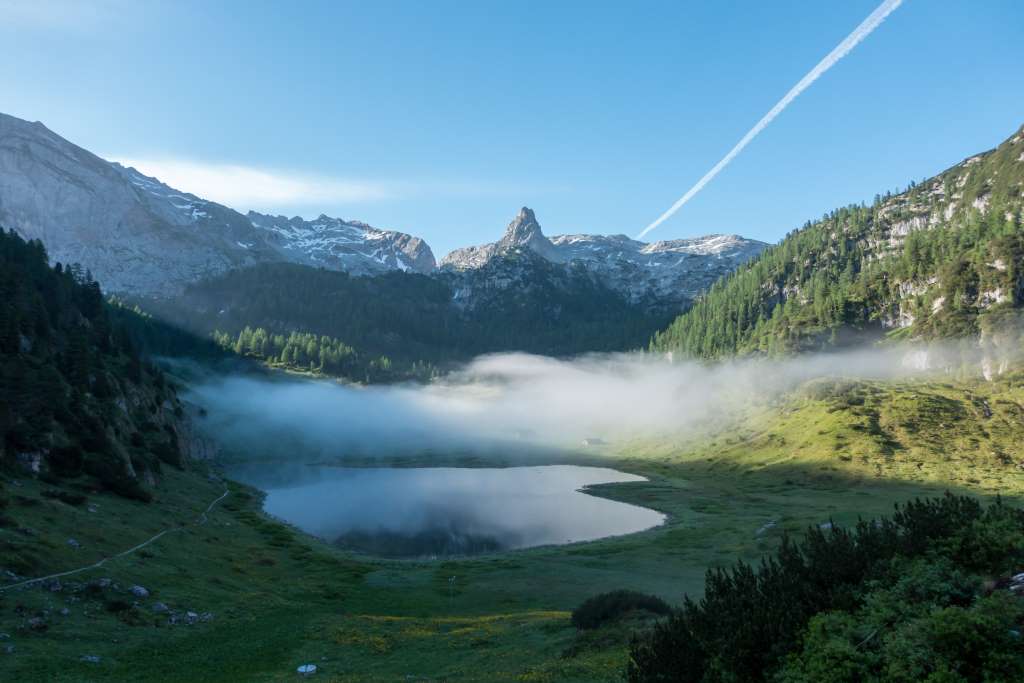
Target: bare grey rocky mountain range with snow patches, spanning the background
141,237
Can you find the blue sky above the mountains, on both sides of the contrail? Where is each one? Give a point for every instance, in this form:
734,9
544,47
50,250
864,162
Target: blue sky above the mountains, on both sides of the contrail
442,119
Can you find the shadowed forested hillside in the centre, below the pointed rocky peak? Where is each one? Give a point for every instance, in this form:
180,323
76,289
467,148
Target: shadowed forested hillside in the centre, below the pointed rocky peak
401,324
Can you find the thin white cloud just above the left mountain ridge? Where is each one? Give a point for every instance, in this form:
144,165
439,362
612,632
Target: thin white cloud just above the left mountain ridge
251,188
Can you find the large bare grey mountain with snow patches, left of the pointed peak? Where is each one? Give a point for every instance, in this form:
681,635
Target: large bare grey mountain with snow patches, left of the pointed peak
141,237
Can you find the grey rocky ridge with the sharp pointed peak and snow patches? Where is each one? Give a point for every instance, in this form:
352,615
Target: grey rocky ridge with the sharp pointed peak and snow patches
671,273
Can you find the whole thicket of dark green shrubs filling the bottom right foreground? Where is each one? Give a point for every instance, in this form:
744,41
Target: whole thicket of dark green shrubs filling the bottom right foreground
831,596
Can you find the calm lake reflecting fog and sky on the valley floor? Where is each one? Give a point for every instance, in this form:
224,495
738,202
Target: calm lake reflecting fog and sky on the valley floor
444,511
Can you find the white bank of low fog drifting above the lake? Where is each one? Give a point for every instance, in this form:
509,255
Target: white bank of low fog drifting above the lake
499,402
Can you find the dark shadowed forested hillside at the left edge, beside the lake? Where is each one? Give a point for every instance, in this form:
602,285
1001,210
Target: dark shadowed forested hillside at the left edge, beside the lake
77,399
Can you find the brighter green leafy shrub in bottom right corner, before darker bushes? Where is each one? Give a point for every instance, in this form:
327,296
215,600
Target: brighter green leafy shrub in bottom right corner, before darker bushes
930,625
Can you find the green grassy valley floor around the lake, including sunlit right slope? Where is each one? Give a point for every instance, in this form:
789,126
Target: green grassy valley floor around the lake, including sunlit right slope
831,451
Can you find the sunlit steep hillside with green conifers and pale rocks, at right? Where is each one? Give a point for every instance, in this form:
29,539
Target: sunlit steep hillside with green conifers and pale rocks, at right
942,260
